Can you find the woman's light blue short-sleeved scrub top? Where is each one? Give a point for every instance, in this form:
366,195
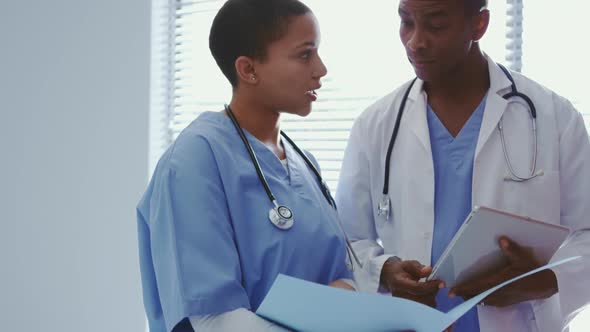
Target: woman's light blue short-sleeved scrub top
206,244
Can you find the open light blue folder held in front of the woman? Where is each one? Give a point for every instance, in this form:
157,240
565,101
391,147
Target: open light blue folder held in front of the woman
305,306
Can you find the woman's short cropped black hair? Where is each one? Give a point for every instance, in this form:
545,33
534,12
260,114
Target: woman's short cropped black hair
247,28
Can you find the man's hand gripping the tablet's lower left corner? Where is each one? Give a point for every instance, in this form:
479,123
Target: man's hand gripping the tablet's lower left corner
401,278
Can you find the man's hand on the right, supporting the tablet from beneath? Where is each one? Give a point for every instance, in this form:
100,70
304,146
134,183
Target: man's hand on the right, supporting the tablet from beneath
540,285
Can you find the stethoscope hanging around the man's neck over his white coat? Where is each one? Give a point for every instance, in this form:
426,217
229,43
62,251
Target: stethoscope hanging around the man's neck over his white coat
384,205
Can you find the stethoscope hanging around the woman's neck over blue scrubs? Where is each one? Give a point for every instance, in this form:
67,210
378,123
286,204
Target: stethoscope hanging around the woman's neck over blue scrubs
280,215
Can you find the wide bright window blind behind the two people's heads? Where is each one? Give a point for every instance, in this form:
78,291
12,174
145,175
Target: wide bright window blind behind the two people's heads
360,47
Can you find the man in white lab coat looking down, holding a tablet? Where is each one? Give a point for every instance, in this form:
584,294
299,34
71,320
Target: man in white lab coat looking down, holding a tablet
449,155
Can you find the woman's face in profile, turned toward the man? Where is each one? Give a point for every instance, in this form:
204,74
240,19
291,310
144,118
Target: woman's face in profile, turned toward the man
289,76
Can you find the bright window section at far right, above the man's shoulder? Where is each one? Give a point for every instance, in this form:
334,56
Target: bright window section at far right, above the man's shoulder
555,54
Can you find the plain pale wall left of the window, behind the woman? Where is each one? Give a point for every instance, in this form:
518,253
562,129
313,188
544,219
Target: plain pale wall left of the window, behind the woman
74,99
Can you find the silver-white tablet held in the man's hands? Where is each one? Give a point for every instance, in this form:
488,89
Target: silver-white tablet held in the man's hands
475,251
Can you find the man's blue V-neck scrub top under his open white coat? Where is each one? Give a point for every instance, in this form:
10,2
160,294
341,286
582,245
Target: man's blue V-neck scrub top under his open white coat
453,173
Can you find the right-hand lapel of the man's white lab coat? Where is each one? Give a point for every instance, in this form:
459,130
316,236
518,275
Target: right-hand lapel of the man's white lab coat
495,104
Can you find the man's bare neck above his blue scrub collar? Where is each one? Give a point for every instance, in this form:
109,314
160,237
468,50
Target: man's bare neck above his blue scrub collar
470,79
